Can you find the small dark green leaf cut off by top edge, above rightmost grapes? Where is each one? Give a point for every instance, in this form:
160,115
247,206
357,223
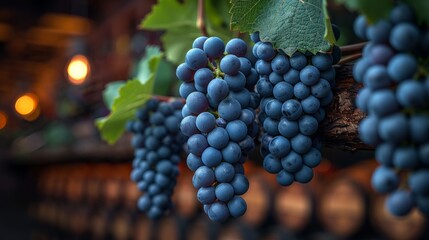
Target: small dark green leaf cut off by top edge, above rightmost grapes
373,10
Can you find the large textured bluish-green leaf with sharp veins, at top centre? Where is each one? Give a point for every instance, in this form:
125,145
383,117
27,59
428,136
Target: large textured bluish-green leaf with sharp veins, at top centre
291,25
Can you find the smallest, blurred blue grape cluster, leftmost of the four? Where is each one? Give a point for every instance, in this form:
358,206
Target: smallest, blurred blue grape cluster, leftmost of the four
158,143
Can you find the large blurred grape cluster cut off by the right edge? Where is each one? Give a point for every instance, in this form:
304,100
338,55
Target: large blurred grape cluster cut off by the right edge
395,97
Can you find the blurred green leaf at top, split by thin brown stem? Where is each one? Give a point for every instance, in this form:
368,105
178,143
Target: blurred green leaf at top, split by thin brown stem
178,20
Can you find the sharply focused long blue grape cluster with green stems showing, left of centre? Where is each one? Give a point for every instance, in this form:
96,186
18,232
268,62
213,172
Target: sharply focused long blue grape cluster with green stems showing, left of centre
219,119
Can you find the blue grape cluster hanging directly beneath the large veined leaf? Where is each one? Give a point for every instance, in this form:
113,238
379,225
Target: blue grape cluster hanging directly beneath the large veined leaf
294,92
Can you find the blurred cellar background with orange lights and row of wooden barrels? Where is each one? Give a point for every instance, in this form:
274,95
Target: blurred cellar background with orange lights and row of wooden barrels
59,180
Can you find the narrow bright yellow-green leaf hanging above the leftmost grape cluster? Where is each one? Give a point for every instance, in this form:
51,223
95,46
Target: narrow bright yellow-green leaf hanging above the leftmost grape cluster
132,95
